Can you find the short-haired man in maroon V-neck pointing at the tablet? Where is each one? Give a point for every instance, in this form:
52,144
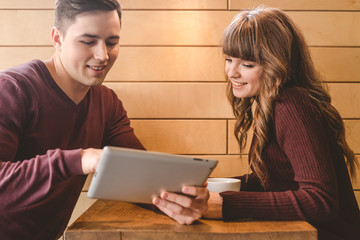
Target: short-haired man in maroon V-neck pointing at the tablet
57,116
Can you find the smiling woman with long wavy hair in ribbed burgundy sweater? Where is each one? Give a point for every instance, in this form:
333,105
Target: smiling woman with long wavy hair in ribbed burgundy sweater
299,157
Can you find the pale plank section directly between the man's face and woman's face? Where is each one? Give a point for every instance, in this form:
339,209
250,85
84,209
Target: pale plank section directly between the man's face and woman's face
168,64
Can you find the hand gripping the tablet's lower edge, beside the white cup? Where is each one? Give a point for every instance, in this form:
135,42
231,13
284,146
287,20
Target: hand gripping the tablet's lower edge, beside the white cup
183,209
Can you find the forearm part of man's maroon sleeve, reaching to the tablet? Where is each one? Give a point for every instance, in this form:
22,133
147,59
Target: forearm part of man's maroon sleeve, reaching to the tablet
27,182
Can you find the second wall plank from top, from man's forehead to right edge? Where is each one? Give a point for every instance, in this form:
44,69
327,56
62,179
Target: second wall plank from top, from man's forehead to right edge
206,28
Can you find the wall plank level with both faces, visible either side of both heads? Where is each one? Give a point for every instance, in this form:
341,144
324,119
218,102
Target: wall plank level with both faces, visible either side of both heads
182,63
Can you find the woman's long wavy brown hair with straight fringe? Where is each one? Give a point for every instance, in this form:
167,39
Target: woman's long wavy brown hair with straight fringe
269,37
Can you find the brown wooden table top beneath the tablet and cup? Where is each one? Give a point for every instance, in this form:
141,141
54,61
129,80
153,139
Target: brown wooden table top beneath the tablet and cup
110,220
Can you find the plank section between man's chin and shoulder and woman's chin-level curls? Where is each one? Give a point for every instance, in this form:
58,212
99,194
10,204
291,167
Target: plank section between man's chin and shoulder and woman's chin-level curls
173,100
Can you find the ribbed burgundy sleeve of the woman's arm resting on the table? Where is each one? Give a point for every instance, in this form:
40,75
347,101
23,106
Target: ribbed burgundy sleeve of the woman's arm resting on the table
301,135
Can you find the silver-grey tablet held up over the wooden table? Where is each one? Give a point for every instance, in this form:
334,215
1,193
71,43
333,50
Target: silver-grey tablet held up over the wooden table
137,175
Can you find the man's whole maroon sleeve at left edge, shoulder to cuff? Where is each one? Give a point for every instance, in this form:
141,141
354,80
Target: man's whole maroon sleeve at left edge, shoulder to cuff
24,182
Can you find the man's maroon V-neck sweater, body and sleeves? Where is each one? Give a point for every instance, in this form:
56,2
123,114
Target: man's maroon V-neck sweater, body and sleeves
40,123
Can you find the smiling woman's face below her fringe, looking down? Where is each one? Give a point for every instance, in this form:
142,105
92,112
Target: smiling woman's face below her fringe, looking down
245,77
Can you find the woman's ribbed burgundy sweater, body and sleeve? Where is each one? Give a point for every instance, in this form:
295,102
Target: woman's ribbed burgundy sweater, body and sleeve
308,177
